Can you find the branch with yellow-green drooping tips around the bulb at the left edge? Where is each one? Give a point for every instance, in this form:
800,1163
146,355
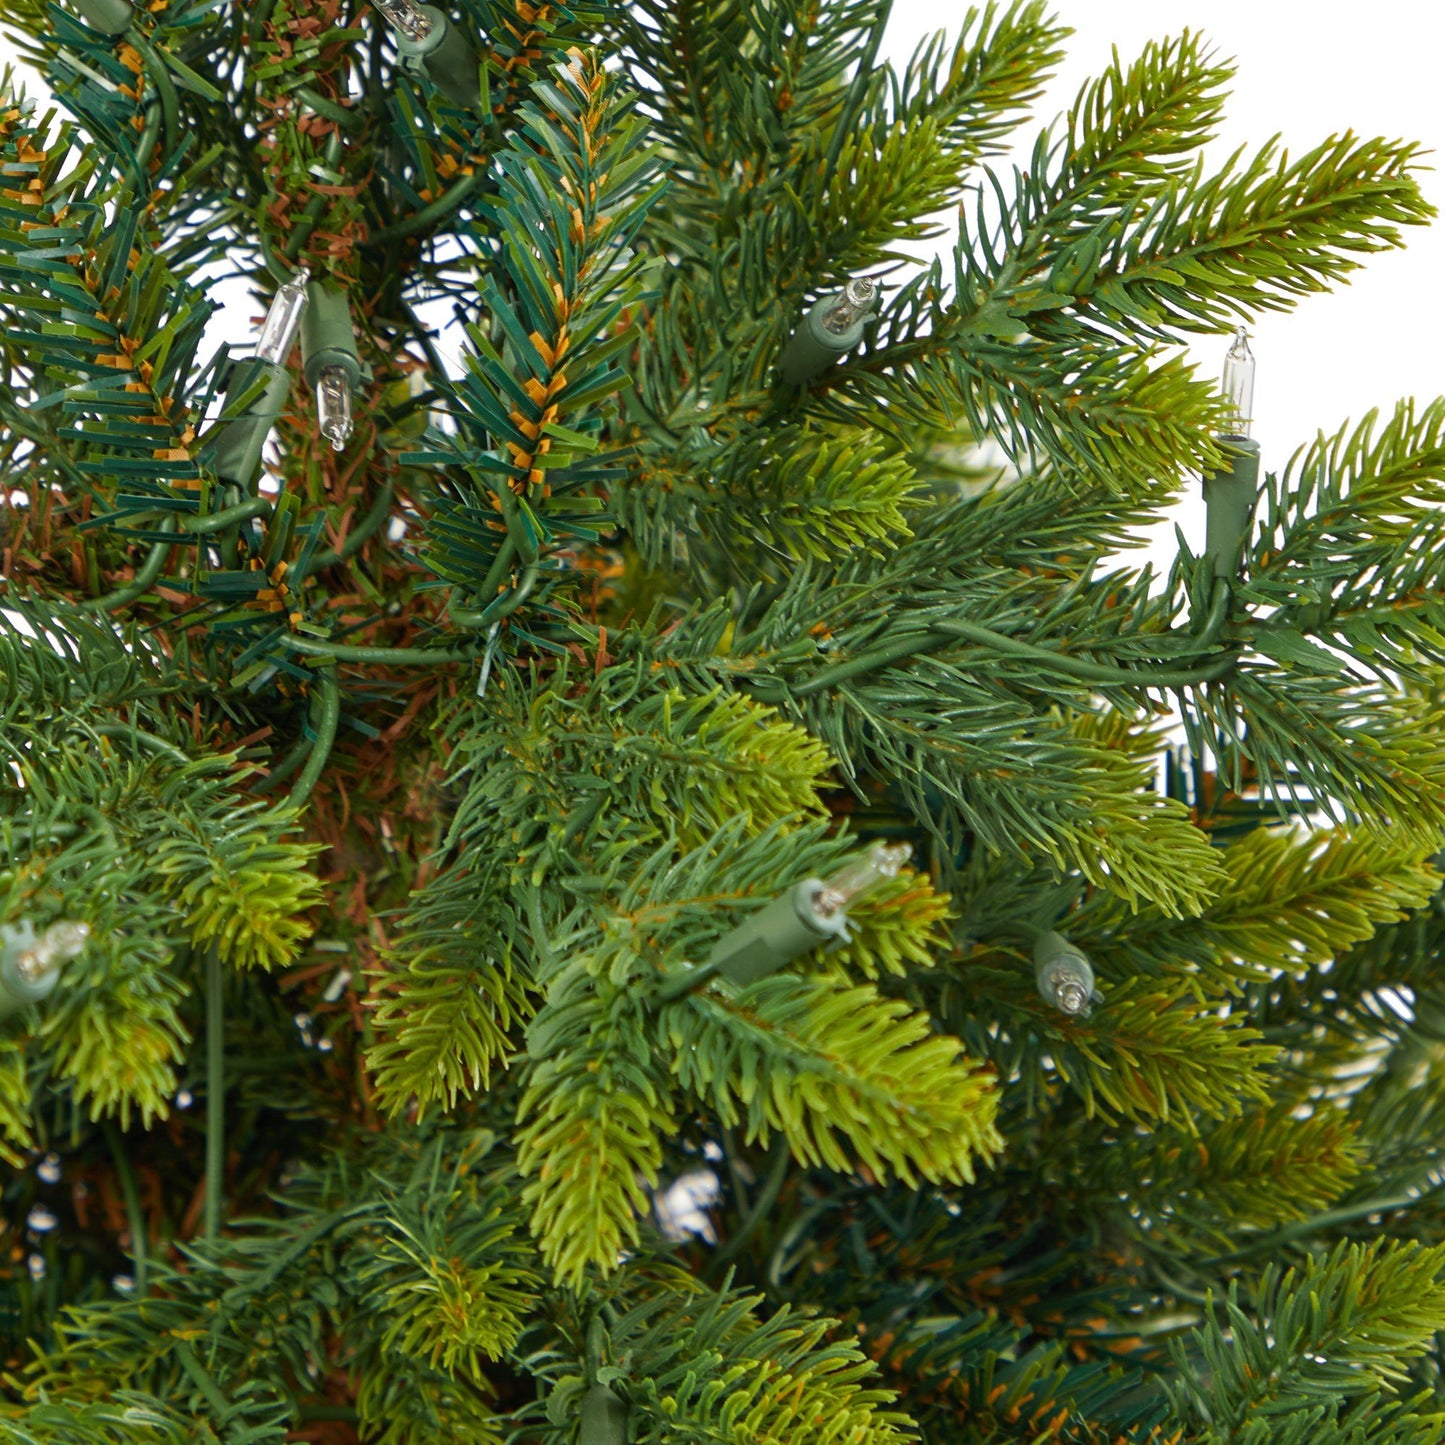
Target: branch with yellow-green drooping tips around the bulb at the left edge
113,823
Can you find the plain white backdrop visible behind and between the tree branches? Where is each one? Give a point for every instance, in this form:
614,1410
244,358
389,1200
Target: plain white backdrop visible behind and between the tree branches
1306,72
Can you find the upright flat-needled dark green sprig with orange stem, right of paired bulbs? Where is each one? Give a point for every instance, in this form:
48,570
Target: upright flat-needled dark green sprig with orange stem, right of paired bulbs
577,186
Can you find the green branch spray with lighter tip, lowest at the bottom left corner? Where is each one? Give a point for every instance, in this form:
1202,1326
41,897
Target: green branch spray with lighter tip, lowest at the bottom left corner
369,1259
